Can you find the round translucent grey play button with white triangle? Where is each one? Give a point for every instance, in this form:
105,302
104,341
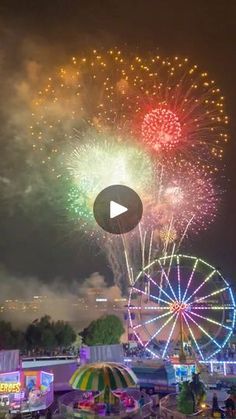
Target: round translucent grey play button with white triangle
118,209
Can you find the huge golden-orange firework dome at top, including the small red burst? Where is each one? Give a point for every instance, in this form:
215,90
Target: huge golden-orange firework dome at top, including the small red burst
166,104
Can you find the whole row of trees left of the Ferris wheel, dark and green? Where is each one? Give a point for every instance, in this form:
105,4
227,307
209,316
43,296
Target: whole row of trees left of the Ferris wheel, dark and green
45,335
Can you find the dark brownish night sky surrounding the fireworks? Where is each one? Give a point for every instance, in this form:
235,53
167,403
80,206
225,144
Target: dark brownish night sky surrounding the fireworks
32,240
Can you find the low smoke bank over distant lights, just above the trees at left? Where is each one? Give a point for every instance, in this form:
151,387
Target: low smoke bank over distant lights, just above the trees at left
74,302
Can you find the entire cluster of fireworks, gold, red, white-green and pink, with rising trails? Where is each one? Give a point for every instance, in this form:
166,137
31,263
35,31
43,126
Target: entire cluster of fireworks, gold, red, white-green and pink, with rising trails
156,125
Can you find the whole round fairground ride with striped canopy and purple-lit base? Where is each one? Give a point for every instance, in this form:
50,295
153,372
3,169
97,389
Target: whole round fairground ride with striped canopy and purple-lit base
103,389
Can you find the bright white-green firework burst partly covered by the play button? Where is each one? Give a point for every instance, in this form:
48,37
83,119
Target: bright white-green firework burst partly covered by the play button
99,162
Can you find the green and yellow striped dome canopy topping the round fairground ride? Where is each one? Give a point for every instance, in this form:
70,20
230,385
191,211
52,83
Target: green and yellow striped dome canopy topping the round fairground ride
97,376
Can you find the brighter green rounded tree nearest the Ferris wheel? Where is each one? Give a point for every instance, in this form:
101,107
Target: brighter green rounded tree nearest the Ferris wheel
106,330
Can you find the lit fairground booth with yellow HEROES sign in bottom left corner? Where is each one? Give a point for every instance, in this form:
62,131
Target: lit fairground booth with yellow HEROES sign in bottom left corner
23,391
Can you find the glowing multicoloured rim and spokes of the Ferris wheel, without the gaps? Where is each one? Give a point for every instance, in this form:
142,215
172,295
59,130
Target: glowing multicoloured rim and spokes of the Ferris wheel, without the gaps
187,317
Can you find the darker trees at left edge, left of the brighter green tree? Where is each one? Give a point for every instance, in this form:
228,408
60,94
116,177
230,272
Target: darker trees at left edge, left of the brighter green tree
41,335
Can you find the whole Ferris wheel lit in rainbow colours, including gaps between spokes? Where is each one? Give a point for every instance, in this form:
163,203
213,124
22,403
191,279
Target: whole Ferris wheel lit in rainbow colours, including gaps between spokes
181,301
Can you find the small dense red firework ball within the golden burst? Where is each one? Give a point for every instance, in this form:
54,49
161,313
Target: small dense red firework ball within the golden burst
161,129
